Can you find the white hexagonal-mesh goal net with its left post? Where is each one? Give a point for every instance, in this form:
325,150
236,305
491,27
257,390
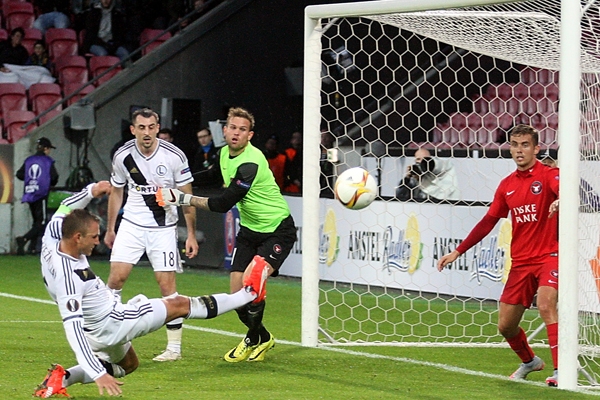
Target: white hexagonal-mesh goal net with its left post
452,81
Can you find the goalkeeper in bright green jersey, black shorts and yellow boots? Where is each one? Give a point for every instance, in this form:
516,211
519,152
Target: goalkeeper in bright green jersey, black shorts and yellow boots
267,231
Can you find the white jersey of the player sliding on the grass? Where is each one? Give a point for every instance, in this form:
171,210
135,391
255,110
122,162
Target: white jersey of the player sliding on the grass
78,292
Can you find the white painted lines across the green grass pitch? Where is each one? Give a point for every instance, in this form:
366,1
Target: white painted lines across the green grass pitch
405,360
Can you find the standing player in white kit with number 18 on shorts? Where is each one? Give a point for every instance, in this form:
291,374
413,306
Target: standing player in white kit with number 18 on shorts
144,164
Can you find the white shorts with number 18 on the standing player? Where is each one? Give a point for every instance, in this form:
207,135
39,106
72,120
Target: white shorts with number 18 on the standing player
159,244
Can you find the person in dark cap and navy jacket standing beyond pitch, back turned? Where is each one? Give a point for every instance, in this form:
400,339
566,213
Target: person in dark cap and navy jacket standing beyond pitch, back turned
39,174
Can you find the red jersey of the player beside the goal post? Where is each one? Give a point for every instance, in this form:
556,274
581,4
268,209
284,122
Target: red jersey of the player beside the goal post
527,195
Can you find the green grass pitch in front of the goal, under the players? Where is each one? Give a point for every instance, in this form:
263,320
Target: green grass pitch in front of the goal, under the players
32,337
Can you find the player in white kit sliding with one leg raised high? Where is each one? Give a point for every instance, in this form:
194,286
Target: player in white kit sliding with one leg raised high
99,328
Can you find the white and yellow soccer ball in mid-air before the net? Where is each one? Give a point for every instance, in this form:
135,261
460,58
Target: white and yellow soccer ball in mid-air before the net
355,188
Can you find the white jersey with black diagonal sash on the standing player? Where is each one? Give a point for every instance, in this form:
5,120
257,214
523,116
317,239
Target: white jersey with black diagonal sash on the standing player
143,175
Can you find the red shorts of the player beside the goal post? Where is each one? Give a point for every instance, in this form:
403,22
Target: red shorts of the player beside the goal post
524,281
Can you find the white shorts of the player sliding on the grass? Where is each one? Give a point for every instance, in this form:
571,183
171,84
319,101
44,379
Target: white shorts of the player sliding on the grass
140,316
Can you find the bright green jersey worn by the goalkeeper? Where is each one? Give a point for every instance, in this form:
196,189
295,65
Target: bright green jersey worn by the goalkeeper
263,208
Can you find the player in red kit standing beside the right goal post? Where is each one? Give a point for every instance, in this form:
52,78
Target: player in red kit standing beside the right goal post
530,195
